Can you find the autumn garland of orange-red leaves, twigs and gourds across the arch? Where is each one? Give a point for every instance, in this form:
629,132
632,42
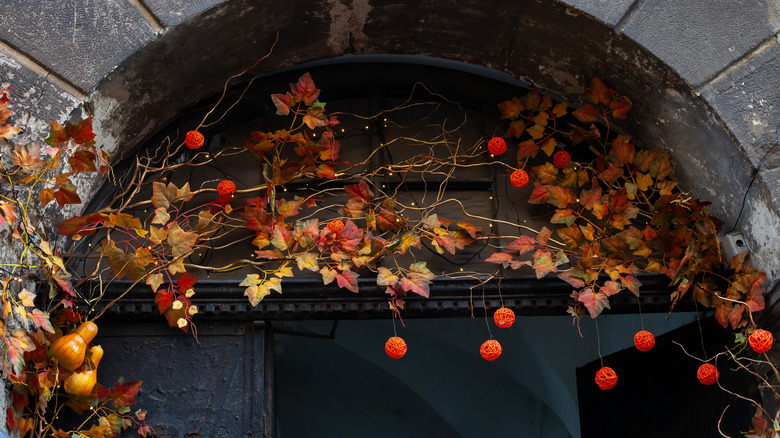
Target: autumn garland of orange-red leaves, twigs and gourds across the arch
613,211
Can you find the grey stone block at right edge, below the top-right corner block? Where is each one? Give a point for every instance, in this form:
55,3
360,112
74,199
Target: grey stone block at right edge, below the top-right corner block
748,101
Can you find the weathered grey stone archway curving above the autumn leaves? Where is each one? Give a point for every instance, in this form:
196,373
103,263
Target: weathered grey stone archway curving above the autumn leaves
700,74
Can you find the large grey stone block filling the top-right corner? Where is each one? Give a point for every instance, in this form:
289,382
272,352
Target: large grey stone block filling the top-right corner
699,38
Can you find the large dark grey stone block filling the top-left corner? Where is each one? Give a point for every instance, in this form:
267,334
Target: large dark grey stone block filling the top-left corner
80,40
